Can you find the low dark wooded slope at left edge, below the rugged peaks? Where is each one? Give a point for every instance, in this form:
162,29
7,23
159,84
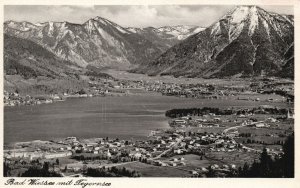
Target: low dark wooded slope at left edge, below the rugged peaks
25,58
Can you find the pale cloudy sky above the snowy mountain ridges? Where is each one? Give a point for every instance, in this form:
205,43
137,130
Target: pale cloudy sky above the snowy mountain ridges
127,15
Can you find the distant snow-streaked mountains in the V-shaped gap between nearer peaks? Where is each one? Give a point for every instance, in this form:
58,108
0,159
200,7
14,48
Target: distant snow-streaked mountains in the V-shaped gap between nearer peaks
167,36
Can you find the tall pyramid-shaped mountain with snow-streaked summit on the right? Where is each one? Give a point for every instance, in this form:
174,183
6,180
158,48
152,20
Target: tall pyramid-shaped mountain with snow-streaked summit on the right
246,41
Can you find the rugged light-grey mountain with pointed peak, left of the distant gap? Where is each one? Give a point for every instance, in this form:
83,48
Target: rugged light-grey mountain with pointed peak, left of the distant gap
98,42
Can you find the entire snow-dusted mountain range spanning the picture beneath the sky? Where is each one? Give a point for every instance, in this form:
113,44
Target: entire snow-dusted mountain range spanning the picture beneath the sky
247,41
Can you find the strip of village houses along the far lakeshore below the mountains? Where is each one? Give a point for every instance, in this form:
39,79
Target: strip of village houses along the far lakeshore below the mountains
271,90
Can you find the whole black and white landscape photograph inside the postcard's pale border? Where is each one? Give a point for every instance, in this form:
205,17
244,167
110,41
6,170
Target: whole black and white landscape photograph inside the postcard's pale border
158,90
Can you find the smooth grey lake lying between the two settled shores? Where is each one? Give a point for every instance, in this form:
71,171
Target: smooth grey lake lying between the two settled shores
124,117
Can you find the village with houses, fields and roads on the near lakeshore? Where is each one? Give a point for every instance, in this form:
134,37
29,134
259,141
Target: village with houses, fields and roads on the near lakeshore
192,147
